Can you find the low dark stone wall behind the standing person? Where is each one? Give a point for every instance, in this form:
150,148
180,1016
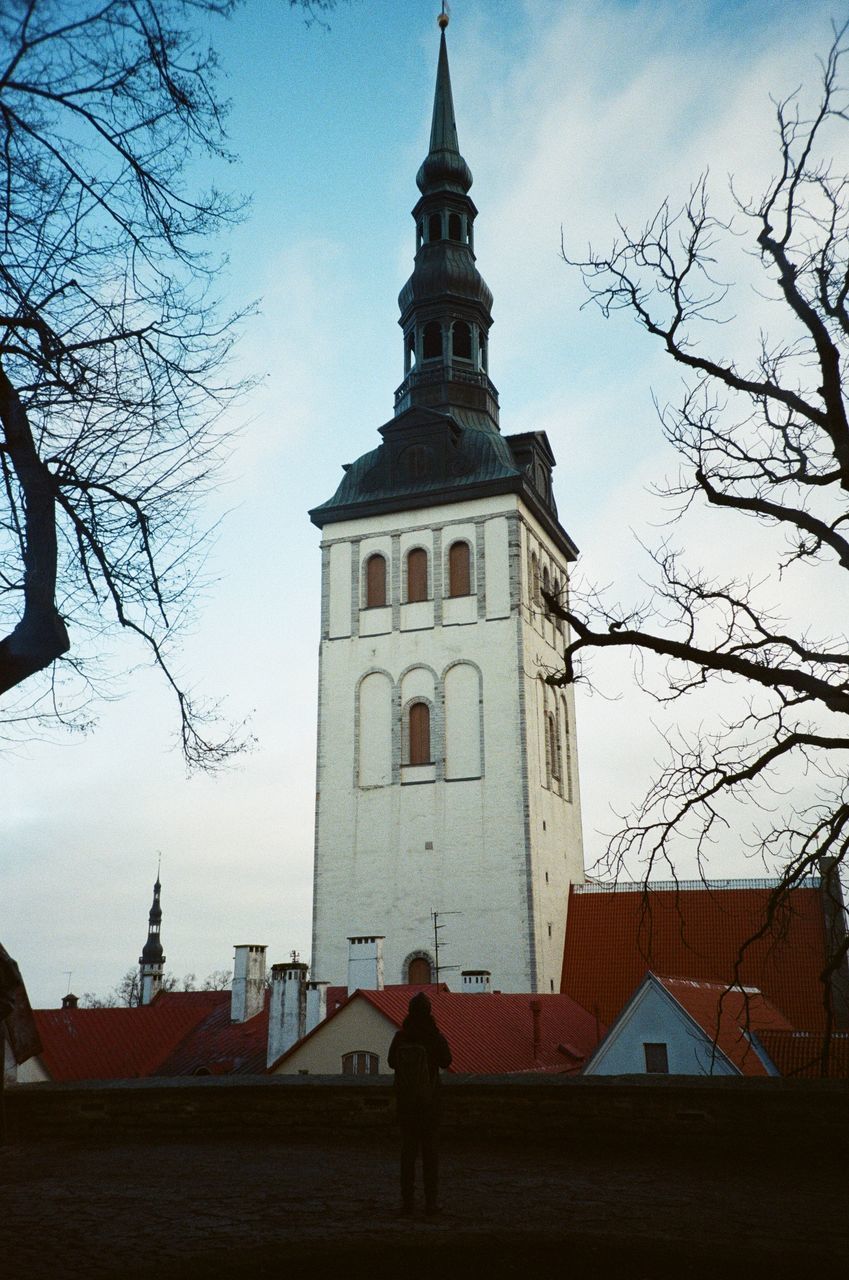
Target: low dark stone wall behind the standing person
532,1110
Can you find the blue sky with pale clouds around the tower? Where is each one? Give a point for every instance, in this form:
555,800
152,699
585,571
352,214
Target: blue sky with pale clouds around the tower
570,115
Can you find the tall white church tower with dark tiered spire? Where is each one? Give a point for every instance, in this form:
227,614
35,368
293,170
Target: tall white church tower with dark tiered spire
446,767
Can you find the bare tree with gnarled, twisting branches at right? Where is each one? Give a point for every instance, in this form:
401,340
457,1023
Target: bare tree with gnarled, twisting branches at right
763,438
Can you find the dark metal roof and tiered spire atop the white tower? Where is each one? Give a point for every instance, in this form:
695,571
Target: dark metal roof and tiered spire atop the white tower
444,444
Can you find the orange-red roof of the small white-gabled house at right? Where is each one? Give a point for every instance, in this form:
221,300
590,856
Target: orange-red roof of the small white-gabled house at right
728,1017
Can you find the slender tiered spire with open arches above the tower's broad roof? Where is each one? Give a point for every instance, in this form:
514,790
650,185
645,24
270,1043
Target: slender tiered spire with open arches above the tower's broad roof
446,305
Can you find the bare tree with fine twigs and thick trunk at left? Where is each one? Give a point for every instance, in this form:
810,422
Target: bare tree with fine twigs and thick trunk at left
112,345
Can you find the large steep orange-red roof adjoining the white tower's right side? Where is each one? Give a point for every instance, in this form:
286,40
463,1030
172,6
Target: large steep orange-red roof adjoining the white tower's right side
614,936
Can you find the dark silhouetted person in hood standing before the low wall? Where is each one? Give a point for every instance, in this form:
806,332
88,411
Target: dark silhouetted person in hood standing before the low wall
417,1054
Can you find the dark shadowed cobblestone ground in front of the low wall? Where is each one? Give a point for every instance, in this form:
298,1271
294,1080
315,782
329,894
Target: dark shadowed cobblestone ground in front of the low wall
230,1209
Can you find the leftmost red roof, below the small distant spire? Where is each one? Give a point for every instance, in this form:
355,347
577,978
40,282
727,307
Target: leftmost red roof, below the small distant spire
118,1044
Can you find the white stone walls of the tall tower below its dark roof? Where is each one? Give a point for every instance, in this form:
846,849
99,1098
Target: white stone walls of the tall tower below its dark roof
491,829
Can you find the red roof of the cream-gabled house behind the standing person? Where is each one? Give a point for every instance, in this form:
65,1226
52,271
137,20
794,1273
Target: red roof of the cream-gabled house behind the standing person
494,1035
